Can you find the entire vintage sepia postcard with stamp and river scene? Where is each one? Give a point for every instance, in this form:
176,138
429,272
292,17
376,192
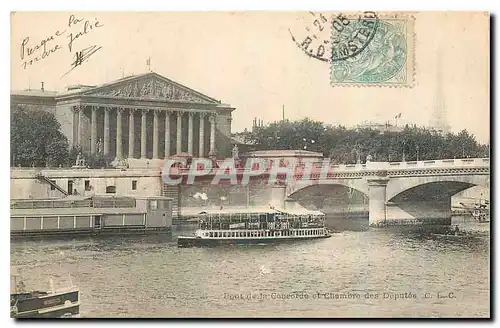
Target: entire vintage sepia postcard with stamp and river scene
250,164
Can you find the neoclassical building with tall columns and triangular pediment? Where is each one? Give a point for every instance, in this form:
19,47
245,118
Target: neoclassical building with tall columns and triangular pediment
140,118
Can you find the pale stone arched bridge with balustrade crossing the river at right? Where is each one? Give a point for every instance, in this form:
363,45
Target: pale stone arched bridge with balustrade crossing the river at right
395,192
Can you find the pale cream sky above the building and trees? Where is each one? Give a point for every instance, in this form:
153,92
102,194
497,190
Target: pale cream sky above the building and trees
249,60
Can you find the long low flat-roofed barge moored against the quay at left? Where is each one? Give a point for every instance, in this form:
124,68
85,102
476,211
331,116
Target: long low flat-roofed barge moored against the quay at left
96,215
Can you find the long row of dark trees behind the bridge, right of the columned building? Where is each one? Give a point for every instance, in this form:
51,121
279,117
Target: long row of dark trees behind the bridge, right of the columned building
343,145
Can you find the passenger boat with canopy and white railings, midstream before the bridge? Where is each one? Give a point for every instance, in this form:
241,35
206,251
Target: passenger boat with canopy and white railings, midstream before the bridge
256,227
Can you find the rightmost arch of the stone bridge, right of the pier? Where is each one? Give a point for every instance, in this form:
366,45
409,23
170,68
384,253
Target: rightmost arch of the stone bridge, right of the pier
450,185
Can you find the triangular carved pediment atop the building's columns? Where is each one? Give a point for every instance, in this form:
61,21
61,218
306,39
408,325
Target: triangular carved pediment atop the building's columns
150,86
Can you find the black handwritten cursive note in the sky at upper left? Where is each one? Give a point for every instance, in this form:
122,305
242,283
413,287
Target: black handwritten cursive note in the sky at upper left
72,34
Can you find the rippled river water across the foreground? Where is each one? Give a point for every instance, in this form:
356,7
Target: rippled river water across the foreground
352,274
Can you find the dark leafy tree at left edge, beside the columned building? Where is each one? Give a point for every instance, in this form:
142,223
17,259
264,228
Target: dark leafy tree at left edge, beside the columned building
36,138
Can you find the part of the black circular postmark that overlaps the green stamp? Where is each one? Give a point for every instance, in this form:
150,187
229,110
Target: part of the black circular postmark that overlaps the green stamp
351,36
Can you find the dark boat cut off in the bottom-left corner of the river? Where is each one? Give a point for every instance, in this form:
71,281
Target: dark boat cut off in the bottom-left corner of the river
44,304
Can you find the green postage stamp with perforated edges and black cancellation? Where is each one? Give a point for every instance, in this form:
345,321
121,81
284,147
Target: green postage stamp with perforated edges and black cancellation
368,49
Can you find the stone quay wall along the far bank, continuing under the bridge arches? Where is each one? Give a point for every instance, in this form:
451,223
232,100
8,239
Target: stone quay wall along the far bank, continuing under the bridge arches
335,201
